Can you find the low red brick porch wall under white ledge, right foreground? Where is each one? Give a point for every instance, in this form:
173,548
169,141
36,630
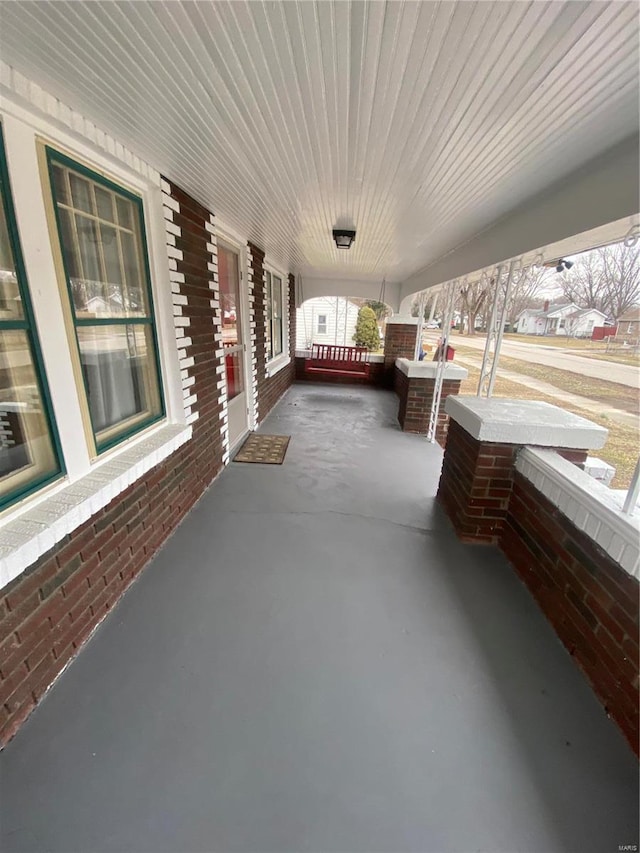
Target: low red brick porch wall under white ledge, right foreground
591,601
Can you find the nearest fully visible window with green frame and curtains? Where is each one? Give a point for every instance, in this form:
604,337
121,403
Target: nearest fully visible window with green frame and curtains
104,255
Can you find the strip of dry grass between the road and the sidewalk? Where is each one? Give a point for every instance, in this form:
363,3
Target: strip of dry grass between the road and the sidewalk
608,393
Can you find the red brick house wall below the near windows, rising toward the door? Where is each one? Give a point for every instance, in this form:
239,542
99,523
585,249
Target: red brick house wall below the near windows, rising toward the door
48,612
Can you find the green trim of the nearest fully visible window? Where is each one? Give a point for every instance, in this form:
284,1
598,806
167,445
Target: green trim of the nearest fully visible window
138,321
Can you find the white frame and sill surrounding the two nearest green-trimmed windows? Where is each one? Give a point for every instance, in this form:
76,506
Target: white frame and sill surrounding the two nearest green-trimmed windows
32,526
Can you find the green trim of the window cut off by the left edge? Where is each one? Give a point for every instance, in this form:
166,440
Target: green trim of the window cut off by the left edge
28,325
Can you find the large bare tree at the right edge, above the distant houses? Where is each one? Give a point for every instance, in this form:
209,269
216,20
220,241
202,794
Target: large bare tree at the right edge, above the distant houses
607,279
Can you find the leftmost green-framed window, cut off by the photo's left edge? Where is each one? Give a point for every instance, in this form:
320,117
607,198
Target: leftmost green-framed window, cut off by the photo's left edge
29,450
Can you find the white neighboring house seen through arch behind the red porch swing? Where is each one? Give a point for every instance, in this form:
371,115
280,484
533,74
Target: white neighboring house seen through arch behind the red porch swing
326,320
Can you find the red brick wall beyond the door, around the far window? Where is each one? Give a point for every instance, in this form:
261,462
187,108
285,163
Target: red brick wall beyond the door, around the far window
270,389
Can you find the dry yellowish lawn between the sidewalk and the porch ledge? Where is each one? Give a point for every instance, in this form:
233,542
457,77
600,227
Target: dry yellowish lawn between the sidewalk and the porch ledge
621,448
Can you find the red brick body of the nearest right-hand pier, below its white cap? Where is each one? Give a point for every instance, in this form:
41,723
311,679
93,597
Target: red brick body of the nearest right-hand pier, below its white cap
475,484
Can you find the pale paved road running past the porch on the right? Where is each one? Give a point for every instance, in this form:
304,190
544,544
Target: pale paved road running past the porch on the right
624,374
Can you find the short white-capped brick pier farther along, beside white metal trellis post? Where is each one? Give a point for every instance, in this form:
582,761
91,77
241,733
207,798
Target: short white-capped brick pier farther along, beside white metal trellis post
414,383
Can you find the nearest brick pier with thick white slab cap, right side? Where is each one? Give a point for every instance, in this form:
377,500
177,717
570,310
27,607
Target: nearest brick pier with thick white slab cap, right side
483,439
